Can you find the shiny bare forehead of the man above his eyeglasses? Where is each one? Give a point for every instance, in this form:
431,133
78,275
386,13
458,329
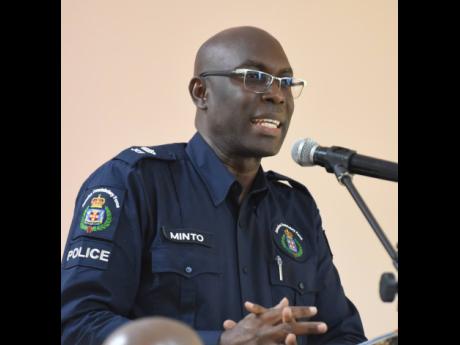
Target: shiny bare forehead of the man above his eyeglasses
263,53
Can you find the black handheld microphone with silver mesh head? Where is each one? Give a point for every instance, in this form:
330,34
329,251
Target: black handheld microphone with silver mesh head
307,152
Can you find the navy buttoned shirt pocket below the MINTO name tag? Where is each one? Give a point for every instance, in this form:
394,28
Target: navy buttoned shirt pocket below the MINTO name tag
183,275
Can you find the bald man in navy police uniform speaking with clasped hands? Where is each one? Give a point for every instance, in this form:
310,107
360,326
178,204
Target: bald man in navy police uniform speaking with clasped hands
199,232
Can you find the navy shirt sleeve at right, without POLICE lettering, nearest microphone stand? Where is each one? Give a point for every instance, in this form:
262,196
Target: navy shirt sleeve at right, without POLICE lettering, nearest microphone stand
334,308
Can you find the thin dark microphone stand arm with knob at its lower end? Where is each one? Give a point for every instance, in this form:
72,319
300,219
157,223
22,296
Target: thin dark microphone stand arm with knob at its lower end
388,283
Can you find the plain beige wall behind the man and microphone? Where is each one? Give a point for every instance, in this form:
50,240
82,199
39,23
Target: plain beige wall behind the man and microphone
126,65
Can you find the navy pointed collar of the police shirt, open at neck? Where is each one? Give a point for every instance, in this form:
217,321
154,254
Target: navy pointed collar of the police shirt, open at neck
214,173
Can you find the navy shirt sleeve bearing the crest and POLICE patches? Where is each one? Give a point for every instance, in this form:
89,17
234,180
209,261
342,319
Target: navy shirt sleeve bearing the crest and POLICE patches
101,265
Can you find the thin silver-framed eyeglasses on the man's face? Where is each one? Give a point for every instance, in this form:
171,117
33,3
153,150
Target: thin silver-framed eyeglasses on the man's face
260,82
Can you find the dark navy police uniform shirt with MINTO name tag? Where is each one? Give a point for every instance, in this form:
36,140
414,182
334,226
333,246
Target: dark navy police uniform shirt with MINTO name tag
158,231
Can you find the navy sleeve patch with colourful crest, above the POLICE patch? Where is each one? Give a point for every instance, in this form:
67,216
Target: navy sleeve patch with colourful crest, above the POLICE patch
98,213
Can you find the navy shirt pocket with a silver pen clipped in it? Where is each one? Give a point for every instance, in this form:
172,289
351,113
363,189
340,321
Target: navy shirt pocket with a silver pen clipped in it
294,280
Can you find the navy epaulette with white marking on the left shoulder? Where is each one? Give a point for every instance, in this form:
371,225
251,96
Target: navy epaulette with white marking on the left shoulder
167,152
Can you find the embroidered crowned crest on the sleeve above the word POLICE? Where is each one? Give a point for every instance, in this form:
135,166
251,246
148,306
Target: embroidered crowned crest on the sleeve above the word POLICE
96,217
